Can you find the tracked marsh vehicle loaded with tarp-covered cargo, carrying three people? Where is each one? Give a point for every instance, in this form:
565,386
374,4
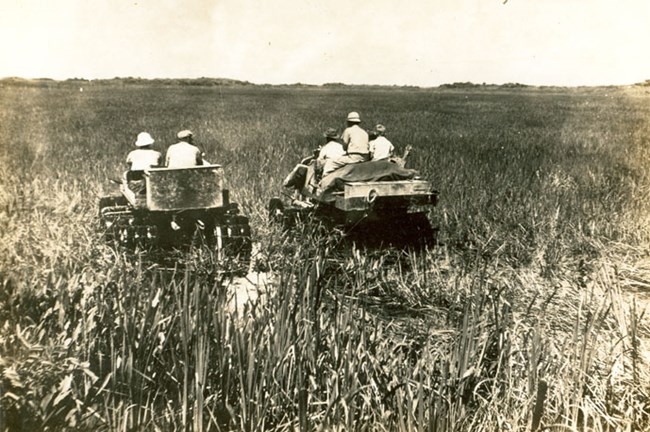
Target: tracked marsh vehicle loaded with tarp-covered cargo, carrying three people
375,203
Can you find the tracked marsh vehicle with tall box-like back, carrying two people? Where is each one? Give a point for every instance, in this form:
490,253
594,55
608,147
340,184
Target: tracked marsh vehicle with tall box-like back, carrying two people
167,209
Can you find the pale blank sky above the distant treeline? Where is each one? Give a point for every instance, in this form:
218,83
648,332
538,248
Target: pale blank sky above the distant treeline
388,42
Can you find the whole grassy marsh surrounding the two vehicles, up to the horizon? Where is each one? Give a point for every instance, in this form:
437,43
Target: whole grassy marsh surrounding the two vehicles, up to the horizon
529,314
